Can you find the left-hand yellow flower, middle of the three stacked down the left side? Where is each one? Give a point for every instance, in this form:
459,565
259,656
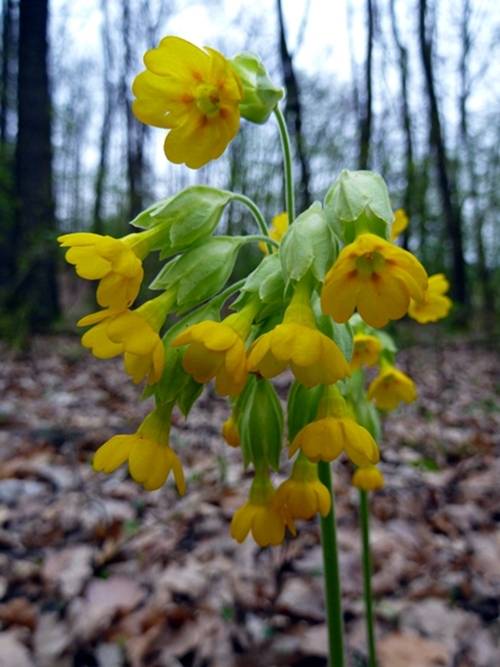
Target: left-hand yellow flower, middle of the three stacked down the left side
133,333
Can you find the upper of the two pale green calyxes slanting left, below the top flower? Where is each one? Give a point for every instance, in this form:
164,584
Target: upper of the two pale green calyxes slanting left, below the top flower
190,216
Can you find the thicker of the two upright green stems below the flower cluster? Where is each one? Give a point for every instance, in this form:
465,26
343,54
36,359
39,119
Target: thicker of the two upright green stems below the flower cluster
332,575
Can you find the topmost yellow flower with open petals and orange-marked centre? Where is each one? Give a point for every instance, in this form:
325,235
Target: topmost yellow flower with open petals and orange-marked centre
195,94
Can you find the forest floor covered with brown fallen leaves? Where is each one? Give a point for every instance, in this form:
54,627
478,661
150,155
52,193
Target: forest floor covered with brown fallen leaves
96,572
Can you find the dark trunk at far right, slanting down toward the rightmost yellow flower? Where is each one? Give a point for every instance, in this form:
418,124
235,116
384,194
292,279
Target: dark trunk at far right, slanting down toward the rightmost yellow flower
446,186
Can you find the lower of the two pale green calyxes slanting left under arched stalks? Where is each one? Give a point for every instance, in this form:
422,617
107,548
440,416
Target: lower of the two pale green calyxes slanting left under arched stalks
200,272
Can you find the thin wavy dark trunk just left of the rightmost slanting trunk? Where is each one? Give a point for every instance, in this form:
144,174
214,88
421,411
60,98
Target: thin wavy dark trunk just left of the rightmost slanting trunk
410,190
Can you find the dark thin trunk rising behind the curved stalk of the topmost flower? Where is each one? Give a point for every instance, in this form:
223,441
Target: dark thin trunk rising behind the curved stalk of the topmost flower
293,111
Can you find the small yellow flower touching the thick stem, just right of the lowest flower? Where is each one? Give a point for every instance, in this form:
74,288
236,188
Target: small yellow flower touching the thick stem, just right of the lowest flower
303,495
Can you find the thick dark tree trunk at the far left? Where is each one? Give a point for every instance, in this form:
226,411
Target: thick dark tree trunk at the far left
35,278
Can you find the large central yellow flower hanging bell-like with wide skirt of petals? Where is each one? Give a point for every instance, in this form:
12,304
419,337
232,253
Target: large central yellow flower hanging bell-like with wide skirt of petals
297,343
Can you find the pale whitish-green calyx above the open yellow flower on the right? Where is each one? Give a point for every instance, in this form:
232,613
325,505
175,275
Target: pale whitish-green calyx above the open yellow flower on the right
359,202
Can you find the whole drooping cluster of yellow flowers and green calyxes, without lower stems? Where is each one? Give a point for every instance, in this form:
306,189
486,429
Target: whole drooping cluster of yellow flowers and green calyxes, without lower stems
327,281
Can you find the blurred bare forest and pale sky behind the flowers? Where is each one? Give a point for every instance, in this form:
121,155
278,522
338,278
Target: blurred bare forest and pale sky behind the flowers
402,88
